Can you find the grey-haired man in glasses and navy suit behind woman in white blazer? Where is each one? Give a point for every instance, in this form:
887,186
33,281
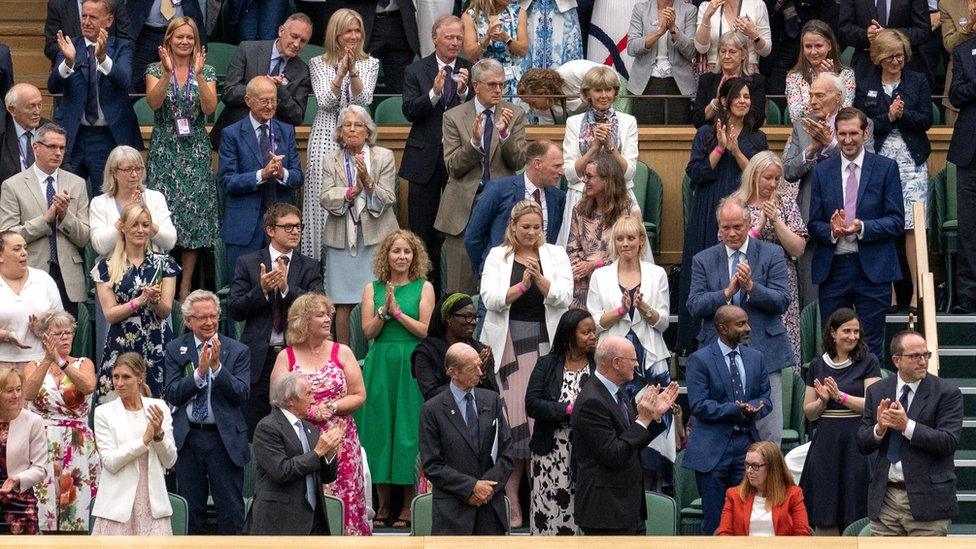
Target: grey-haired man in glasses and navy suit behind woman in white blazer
206,380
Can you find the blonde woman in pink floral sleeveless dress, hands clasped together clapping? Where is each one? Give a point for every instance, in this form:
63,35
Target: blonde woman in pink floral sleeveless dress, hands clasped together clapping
337,388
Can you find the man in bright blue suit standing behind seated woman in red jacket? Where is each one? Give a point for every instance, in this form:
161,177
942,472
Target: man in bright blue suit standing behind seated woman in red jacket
725,402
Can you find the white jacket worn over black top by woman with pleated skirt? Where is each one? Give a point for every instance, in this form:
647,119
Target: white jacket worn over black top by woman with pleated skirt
495,282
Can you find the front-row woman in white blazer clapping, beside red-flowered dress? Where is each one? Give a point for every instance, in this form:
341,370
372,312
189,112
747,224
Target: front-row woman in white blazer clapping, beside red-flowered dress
134,434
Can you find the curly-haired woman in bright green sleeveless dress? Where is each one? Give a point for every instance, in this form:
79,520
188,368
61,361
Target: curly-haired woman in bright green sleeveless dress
396,308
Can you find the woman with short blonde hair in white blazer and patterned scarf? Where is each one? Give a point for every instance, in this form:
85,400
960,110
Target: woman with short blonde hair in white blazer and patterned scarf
599,128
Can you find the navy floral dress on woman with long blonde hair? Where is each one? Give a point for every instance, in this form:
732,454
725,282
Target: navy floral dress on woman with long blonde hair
144,332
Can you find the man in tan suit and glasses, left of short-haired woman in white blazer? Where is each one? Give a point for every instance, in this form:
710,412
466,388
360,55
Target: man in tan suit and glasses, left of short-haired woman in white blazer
483,139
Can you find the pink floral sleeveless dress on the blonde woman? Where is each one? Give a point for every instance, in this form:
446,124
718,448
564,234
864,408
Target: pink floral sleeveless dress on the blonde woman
329,385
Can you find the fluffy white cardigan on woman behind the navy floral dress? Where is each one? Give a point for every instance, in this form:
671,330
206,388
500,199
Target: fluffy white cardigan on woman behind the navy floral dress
103,213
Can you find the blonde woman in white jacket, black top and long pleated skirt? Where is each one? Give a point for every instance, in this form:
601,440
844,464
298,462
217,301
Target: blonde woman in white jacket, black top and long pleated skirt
526,287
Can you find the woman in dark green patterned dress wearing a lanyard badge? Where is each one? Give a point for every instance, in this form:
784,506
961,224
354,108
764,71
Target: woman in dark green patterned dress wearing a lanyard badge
183,91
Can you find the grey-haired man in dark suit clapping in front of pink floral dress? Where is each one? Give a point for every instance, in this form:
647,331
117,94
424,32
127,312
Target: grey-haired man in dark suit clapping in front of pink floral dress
293,460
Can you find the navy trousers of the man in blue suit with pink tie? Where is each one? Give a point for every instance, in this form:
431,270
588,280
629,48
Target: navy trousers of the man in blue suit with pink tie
848,286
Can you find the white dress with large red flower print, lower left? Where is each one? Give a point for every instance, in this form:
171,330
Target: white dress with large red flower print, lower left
65,496
